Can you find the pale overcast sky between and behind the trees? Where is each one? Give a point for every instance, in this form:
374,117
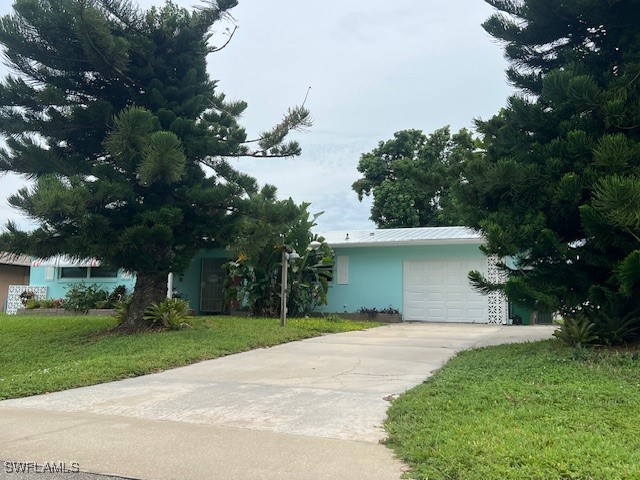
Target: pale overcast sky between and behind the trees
374,67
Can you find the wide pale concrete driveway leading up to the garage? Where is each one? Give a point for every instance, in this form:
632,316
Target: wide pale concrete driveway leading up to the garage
311,409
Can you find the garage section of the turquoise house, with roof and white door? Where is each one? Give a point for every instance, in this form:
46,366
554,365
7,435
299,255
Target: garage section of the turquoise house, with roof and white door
422,272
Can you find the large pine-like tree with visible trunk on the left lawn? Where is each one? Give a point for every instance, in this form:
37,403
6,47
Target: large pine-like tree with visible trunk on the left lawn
111,111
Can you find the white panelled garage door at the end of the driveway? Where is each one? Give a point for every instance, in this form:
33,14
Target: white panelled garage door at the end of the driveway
439,291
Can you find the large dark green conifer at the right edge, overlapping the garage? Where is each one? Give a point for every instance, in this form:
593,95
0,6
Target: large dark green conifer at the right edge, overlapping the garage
545,189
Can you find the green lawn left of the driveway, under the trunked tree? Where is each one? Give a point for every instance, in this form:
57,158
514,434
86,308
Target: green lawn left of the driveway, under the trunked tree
46,354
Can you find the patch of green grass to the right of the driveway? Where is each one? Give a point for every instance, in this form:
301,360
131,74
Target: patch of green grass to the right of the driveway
534,411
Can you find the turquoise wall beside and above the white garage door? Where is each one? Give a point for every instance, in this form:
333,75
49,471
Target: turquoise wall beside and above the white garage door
376,274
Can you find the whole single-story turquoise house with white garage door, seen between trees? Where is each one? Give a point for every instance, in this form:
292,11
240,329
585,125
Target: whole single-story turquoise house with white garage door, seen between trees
421,272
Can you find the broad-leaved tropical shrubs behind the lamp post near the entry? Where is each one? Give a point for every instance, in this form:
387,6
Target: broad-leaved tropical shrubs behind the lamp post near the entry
255,276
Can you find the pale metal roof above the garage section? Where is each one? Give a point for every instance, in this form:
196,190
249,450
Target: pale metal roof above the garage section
402,236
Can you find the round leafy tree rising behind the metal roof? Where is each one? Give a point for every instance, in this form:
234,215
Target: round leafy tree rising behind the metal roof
410,177
